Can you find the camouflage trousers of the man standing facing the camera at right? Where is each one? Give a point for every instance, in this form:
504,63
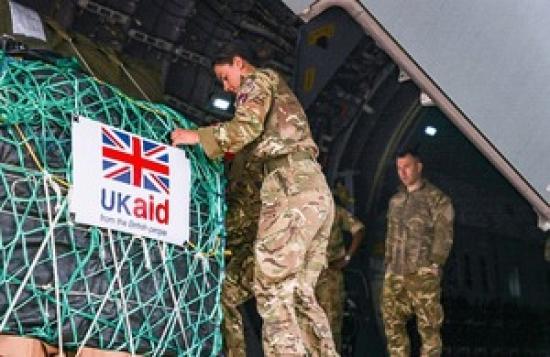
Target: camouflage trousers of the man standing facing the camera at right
403,296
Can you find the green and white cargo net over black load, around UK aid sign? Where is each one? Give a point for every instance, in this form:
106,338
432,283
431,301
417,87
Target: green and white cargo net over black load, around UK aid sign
72,285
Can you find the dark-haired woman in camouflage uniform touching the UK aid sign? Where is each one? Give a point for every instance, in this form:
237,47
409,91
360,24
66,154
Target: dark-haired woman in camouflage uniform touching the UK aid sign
297,206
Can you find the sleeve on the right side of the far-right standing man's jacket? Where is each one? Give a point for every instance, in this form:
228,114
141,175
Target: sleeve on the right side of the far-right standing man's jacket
443,230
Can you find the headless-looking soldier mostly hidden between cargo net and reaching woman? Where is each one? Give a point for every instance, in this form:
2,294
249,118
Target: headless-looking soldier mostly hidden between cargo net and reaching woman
243,202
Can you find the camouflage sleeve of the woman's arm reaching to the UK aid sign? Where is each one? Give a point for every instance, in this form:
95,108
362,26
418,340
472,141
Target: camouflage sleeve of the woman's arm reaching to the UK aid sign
253,104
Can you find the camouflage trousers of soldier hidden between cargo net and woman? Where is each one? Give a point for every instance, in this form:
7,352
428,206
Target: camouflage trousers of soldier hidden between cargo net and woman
236,290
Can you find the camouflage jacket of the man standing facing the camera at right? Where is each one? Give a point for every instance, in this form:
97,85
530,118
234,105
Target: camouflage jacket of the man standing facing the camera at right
420,229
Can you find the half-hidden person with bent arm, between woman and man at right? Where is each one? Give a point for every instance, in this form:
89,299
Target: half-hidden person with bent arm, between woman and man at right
330,289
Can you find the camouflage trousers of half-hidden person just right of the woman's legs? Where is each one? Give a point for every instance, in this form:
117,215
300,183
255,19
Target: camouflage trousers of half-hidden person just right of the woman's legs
330,293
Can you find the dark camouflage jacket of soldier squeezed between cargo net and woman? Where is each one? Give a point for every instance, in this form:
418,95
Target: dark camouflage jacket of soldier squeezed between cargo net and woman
243,199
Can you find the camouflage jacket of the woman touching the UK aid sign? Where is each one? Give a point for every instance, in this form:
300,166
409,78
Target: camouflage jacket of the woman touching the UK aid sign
266,111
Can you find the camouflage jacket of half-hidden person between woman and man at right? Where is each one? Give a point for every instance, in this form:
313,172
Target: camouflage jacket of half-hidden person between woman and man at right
343,222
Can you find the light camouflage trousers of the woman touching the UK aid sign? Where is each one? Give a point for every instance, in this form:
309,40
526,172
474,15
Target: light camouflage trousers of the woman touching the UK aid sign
290,253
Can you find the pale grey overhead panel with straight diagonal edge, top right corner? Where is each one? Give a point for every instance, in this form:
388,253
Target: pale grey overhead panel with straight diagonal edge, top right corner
463,56
